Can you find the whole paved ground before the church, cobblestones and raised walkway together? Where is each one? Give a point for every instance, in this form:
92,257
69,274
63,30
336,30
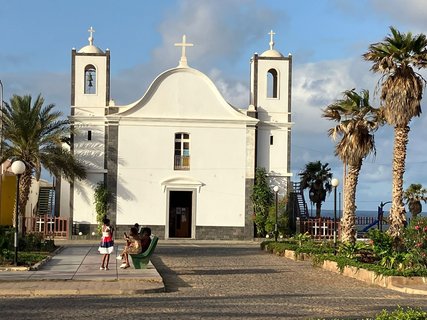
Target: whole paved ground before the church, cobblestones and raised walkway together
199,280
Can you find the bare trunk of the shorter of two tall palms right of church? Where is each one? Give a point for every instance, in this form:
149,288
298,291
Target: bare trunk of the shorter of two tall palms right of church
348,222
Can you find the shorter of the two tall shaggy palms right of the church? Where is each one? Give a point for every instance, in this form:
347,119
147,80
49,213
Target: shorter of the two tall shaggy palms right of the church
357,121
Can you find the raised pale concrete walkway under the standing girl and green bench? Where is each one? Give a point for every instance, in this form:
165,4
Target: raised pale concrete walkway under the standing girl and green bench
74,270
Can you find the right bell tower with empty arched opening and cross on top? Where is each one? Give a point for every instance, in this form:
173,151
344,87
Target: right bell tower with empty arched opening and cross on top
270,94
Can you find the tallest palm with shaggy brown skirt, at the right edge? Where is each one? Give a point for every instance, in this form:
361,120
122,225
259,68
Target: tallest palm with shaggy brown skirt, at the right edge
401,93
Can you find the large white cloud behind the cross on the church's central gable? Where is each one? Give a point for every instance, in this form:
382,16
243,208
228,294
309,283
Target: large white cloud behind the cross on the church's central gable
221,31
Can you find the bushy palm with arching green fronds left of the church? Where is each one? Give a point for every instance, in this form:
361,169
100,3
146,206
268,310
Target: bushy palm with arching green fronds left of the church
35,134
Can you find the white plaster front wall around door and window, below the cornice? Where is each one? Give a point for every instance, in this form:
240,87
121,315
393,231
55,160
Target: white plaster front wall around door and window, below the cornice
217,159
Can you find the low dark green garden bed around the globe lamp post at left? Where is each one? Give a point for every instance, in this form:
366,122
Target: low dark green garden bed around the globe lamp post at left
32,248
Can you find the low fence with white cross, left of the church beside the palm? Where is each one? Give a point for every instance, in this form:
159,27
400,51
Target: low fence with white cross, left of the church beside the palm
49,226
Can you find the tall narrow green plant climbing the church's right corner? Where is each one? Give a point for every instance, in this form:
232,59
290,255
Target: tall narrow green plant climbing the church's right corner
262,199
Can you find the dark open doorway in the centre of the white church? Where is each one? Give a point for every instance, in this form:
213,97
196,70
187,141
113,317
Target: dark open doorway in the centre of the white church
180,212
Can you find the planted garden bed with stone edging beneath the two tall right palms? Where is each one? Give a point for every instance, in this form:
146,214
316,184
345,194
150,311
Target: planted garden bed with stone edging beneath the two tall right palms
381,253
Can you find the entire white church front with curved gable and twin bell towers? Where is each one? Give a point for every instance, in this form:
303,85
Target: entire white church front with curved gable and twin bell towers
181,159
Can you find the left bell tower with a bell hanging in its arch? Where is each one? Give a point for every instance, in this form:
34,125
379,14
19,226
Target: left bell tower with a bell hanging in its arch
90,104
